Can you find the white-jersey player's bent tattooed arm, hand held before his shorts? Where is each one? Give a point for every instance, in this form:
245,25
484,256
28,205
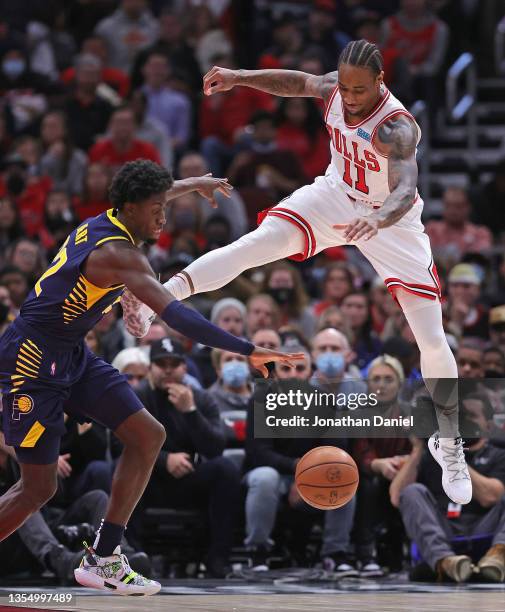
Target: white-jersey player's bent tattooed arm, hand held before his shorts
397,140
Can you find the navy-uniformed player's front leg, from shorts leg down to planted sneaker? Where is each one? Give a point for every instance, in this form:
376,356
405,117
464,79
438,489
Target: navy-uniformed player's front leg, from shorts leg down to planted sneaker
105,396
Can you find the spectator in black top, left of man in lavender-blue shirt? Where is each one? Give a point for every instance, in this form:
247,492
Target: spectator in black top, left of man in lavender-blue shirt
87,112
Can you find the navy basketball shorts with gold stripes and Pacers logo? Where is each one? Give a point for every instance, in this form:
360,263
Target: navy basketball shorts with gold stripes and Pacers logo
41,380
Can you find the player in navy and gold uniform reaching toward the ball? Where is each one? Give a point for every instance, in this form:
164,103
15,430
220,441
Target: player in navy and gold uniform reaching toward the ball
46,368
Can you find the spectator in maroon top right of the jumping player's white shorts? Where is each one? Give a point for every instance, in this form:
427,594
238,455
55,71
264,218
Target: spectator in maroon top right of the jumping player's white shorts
455,235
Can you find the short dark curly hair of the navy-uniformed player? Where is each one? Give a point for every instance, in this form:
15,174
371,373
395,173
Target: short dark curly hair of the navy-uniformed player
138,180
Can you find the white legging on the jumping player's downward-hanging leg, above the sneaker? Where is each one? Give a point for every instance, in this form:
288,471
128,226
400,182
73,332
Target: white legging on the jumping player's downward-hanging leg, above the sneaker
438,365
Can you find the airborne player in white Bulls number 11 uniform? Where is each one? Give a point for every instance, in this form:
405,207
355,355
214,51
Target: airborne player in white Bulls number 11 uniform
368,198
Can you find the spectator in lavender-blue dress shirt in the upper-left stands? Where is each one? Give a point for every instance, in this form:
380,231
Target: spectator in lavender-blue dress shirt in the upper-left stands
170,107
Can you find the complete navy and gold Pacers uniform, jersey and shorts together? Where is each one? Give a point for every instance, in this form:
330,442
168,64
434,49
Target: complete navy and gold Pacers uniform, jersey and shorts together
45,366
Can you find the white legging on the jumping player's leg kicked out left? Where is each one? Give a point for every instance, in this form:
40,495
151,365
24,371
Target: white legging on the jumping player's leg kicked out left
274,239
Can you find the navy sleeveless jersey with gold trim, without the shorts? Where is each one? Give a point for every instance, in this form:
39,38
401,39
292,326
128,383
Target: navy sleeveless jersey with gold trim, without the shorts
64,304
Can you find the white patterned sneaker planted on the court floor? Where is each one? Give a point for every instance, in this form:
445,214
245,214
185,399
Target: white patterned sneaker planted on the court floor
112,574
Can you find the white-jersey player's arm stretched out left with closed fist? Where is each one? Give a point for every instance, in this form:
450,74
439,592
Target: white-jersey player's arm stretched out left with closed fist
287,83
